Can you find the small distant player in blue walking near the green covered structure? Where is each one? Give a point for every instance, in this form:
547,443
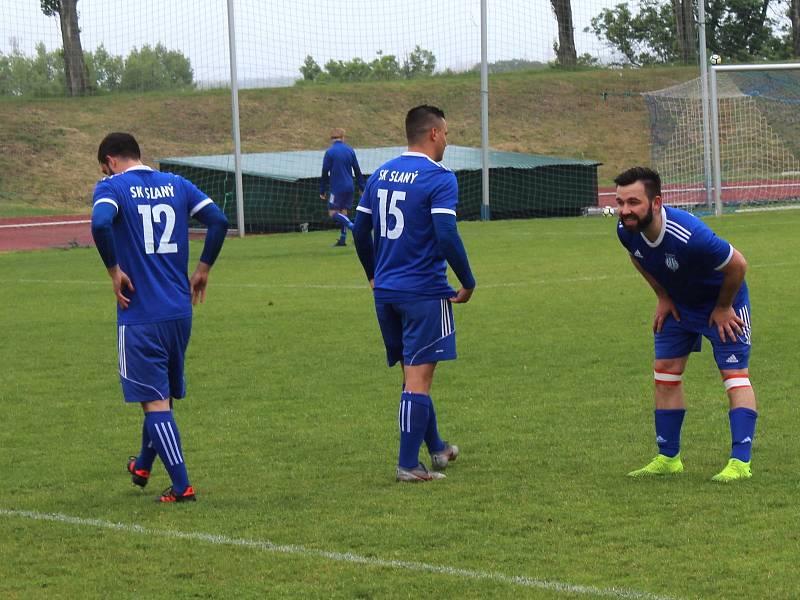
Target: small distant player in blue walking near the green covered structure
338,167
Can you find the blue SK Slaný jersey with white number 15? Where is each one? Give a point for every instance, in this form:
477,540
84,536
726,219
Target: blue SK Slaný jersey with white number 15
401,196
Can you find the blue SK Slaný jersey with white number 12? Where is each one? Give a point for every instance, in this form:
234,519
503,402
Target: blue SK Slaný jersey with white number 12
151,236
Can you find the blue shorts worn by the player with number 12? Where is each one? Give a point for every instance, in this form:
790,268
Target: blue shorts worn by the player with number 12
151,359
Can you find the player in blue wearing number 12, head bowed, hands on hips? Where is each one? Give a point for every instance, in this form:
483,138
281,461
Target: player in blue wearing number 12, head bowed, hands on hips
140,224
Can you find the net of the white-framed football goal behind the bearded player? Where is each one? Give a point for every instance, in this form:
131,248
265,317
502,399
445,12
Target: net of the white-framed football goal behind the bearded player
759,145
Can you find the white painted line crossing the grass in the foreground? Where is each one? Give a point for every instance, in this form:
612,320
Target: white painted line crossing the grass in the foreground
345,557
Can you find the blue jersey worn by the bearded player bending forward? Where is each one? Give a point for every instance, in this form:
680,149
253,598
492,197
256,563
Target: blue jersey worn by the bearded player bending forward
685,259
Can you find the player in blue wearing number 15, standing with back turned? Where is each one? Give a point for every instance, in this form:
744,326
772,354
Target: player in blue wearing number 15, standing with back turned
410,205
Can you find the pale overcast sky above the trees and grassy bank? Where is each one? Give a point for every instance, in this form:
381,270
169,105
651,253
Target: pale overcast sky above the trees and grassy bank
273,37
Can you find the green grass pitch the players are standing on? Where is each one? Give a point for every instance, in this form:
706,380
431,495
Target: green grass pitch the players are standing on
290,433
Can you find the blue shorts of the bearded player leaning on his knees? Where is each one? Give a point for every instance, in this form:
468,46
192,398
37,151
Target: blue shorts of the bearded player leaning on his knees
679,338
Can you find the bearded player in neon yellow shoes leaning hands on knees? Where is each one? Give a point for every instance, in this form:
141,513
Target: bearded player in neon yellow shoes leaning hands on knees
698,279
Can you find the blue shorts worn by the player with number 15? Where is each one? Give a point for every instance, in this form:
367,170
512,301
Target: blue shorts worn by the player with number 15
418,332
